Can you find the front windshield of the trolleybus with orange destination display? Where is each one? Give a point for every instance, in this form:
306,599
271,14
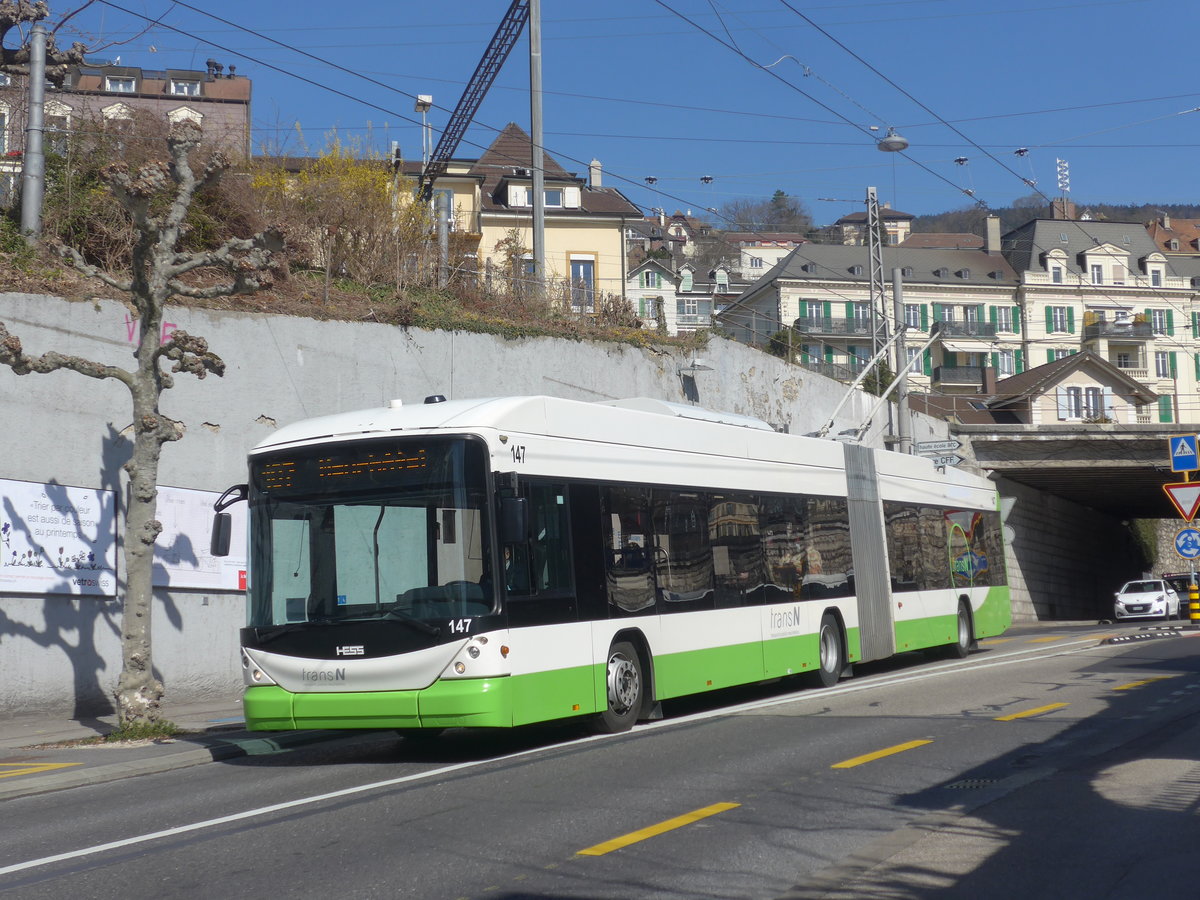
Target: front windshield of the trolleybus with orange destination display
371,530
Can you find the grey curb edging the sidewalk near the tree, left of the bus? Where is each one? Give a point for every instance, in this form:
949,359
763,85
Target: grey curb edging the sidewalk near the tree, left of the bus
221,751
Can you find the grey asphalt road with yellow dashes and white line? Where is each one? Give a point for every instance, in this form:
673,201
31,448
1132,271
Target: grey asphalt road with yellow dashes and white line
1047,765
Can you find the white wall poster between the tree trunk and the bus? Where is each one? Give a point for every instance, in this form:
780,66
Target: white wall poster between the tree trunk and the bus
182,557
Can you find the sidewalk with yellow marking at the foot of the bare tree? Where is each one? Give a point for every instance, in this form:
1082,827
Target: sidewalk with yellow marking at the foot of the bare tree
38,754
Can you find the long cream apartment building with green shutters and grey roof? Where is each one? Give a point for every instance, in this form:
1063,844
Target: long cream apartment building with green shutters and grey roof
1043,292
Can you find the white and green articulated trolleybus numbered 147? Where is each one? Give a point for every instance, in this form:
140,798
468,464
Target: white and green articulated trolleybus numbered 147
501,562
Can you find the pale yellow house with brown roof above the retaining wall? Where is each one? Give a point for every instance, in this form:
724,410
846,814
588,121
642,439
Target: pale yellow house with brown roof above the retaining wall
585,221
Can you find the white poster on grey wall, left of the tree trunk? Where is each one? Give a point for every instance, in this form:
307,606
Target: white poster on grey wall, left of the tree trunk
57,539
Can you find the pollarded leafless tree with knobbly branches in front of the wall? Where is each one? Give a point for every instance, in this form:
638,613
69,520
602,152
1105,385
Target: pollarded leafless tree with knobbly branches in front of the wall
157,199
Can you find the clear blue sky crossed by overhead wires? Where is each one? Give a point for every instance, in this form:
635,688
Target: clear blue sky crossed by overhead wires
683,89
